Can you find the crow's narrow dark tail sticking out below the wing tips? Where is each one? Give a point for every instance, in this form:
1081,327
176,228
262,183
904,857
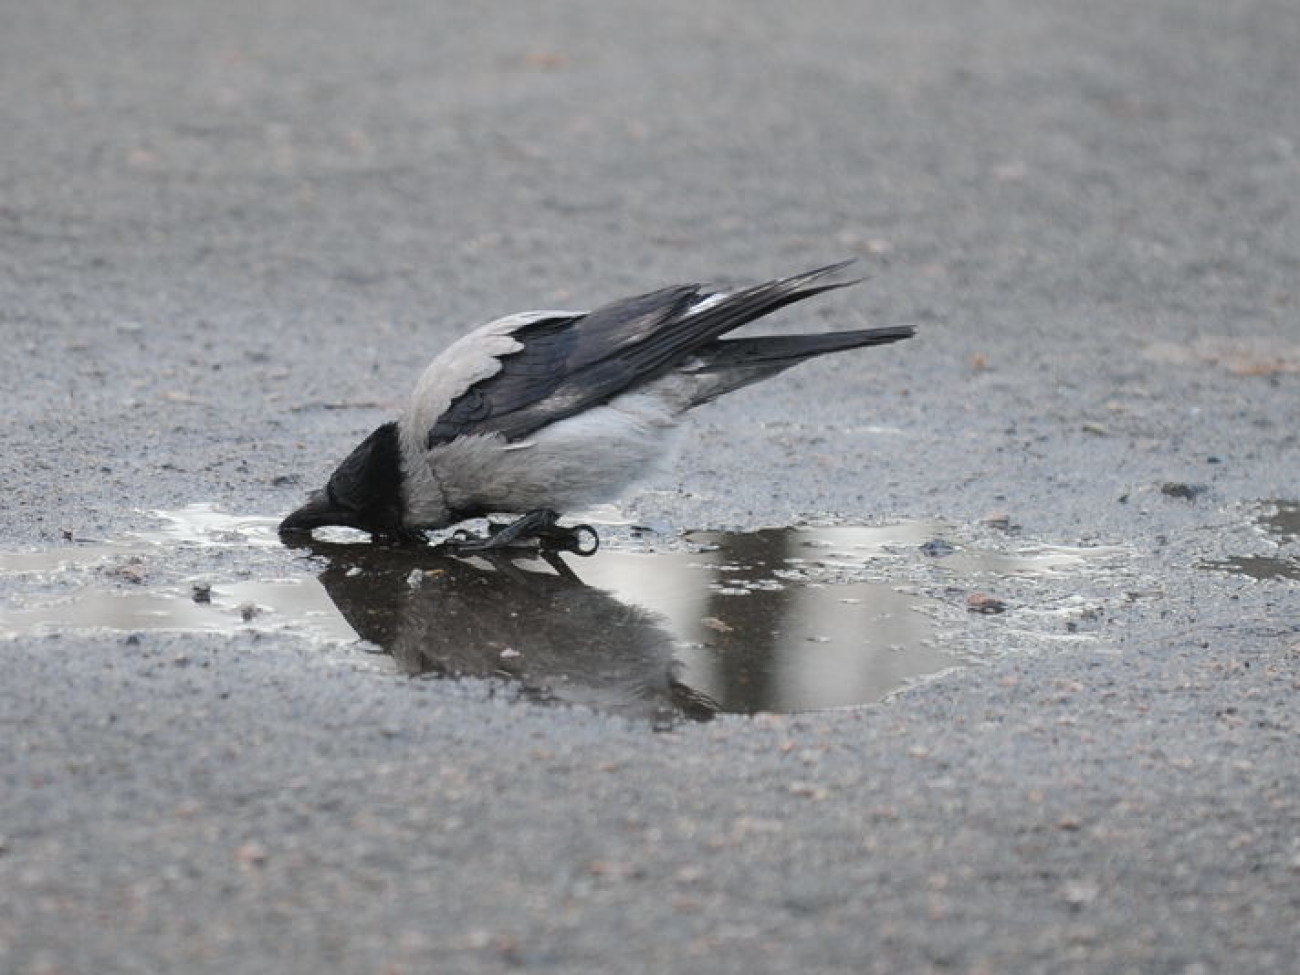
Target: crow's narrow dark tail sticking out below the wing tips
729,365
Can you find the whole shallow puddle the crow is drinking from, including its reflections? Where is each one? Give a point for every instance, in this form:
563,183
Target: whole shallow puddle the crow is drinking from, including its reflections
773,621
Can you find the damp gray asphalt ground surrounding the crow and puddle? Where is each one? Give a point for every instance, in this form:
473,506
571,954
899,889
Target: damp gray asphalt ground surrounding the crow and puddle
232,235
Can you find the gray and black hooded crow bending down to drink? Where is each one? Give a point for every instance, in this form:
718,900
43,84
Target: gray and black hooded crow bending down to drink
549,411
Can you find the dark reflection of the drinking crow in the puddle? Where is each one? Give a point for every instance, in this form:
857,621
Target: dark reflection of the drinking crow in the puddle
534,623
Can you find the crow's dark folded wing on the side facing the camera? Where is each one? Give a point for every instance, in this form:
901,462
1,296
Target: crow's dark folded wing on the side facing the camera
570,365
